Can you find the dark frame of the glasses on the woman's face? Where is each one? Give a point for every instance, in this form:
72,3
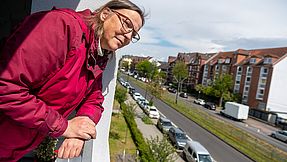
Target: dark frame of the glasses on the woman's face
135,35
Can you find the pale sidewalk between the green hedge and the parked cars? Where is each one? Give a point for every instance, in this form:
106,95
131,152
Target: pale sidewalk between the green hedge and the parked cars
148,131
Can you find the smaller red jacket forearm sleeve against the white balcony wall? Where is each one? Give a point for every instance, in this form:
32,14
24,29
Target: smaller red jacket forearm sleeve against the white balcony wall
92,106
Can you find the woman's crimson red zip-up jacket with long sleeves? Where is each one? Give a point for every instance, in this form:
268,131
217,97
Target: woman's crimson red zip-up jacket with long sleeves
45,74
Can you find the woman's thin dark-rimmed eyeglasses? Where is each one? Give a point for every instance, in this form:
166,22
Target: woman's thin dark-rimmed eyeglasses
127,26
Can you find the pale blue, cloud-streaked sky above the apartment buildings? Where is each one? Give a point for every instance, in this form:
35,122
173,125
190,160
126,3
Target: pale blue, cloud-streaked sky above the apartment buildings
208,26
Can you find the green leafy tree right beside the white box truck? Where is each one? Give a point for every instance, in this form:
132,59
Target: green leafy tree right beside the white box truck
222,87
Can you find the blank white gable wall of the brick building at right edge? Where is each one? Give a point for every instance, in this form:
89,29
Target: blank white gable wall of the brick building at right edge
277,99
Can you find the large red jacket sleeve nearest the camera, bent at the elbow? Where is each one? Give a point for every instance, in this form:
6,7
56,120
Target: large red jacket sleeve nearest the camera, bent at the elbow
36,49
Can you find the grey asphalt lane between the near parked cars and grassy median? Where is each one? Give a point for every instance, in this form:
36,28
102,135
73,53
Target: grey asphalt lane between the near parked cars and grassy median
219,150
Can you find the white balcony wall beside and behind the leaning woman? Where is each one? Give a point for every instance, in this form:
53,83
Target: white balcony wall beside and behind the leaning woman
95,150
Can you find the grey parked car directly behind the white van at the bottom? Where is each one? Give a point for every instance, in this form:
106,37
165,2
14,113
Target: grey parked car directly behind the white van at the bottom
177,137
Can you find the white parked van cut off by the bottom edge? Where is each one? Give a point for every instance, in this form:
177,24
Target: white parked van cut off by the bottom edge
193,151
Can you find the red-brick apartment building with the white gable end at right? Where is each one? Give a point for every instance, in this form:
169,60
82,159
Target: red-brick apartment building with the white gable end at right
259,76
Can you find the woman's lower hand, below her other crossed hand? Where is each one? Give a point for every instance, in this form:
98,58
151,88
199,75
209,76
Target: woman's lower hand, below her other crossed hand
70,148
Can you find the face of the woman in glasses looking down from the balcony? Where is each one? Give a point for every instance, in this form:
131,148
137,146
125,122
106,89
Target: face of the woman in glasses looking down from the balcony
119,27
